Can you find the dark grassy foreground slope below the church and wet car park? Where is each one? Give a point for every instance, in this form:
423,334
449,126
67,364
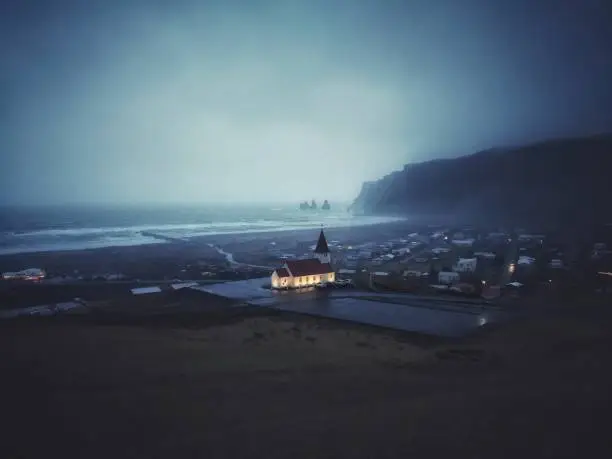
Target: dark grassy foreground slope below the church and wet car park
282,386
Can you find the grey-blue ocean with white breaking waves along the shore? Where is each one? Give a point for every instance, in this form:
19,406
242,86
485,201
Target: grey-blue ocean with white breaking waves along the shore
43,229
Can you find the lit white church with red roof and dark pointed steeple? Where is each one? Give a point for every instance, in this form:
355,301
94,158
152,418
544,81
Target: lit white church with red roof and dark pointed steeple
304,273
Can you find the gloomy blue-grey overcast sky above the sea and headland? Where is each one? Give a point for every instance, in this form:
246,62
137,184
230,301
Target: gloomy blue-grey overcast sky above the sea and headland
282,101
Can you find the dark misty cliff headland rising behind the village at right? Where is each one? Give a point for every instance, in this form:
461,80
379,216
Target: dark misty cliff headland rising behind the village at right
545,183
